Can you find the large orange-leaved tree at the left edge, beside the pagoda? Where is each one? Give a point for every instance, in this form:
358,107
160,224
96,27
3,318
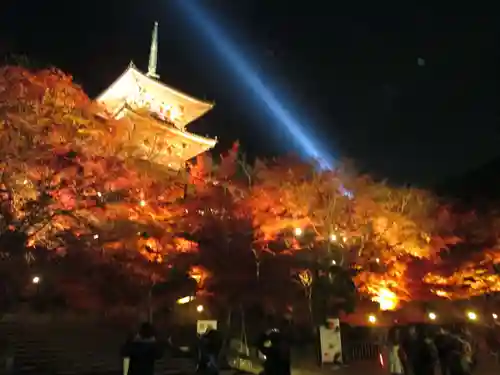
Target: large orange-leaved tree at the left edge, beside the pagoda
66,170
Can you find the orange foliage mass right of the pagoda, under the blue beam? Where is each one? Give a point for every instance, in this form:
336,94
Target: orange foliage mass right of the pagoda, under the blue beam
291,208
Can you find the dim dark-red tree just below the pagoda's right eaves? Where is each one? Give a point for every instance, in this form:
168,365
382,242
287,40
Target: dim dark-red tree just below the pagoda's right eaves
217,221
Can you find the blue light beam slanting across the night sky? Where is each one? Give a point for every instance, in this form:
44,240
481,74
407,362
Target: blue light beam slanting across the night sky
240,66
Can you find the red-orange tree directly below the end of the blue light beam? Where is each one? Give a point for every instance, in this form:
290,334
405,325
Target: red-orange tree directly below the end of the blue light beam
304,214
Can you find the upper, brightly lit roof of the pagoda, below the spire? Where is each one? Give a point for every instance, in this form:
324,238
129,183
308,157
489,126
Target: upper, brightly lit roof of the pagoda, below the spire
132,81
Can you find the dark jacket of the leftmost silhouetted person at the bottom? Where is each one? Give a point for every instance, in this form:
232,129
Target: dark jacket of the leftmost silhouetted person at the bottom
143,352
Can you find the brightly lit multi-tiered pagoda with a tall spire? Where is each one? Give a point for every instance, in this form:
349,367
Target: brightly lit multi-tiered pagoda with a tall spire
157,114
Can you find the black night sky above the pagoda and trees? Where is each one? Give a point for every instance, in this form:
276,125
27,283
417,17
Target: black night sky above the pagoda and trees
351,70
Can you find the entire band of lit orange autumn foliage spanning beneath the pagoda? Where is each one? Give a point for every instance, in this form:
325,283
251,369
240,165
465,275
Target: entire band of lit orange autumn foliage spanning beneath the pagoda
69,173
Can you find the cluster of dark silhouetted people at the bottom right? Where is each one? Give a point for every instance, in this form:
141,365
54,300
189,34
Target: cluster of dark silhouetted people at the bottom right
431,351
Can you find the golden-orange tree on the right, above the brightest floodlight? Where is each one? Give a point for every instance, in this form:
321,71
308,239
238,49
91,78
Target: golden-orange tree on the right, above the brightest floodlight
397,226
